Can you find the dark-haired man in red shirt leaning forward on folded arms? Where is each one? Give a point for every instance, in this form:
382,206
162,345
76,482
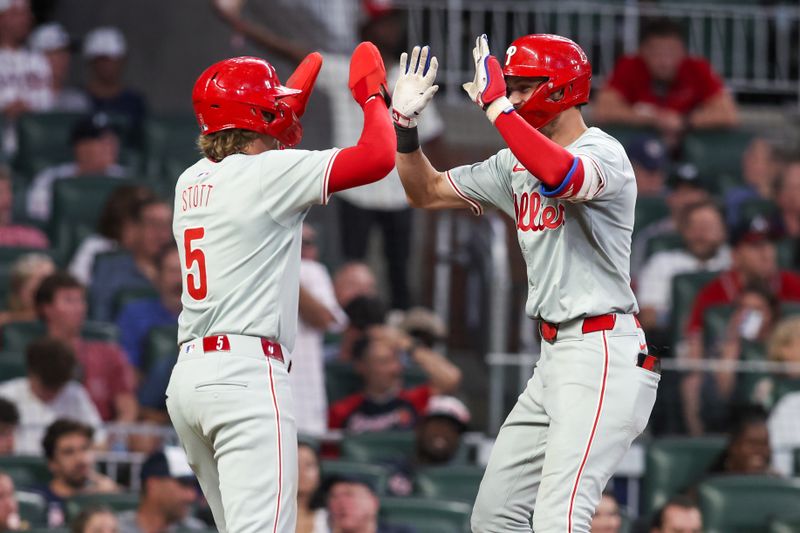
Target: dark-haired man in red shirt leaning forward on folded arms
665,88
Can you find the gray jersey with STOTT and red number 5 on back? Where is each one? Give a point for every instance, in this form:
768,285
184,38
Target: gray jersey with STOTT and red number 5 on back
238,224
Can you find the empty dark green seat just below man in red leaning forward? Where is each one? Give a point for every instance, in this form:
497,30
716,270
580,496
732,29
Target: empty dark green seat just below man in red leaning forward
716,152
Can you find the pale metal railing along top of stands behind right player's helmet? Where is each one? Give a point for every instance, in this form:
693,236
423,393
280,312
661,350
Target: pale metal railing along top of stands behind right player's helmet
755,48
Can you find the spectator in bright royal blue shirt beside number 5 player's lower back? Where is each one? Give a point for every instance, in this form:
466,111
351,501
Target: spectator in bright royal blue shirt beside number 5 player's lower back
140,316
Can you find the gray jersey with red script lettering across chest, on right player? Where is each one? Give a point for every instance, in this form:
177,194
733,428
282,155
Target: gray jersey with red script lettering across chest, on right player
576,245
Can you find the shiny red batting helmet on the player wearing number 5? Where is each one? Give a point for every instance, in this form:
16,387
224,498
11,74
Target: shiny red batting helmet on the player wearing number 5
245,93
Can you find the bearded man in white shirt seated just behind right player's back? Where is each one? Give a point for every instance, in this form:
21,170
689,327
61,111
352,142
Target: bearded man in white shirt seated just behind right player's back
705,249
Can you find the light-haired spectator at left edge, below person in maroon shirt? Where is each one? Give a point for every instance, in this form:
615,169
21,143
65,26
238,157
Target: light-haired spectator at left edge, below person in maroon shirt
27,273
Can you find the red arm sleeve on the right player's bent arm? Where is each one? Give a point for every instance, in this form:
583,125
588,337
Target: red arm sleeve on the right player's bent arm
549,162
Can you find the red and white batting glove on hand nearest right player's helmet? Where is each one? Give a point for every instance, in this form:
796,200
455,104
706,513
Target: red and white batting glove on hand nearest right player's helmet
488,88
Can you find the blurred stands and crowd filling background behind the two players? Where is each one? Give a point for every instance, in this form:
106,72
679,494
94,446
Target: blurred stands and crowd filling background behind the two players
412,342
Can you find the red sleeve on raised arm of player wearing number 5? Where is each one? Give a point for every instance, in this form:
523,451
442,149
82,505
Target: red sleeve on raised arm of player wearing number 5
373,157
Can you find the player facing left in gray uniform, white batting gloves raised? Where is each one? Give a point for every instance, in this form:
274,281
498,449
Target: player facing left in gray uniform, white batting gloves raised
571,191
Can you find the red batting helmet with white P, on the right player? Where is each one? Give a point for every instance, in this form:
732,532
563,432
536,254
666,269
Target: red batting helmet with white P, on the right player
558,59
